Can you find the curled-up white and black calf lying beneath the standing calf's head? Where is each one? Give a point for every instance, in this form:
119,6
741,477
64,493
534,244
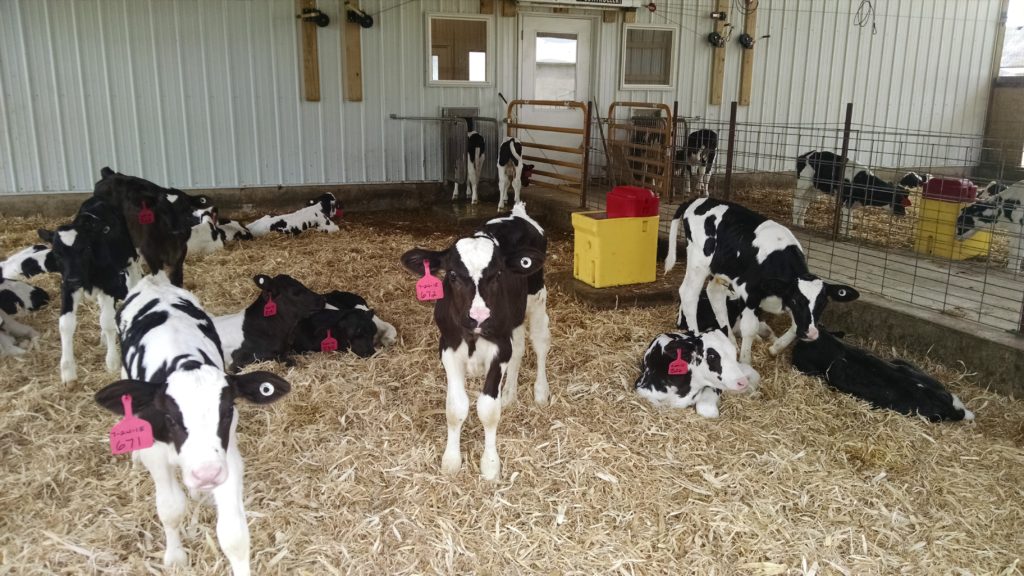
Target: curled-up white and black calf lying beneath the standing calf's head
711,367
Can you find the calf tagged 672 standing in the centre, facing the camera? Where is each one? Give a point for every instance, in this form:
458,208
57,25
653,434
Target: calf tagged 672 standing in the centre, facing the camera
494,286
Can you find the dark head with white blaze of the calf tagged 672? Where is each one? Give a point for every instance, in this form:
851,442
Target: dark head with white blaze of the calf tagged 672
482,279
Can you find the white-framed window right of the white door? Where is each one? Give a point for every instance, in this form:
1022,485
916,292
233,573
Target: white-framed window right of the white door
649,58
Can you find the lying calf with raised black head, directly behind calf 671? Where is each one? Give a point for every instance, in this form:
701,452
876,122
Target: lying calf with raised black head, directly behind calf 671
266,331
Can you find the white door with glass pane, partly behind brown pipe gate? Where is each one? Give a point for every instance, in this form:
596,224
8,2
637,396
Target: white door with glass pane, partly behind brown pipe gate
556,66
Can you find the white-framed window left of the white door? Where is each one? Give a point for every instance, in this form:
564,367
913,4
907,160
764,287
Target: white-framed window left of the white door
460,51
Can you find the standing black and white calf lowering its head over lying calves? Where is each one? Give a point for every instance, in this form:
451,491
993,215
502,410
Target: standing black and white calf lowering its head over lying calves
760,261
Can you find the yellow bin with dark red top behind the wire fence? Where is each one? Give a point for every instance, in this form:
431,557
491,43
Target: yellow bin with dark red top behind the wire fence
935,233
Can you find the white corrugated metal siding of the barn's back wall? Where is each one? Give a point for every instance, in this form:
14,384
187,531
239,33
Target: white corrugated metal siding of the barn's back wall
207,94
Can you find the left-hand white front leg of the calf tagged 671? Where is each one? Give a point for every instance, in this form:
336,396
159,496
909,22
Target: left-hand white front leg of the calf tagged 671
170,500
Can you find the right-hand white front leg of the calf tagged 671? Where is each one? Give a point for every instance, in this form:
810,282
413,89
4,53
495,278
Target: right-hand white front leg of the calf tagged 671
233,532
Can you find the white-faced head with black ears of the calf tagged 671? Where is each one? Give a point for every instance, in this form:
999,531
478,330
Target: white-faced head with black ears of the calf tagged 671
195,413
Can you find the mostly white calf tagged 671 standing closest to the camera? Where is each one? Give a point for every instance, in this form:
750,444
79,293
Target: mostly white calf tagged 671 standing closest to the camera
176,377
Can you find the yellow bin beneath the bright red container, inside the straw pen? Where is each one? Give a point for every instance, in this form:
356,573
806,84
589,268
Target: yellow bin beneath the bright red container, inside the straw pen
615,252
